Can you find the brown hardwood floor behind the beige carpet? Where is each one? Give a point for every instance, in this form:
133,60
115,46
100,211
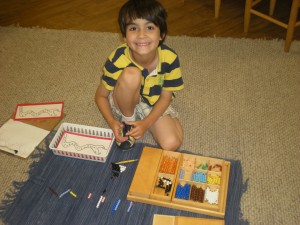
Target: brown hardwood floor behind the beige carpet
186,17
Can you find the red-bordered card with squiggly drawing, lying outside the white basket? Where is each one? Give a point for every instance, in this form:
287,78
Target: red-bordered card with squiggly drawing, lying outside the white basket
39,111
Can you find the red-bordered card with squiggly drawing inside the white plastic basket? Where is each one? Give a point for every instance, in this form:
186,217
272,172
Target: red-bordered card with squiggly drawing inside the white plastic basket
84,144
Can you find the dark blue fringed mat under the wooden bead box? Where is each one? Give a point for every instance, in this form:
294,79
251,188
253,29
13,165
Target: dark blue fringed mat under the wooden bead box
35,204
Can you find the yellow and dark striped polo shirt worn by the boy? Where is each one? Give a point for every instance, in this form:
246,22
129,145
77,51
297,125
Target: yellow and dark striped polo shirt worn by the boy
168,75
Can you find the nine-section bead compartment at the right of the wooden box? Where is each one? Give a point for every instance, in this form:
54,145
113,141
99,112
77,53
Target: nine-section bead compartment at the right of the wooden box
203,176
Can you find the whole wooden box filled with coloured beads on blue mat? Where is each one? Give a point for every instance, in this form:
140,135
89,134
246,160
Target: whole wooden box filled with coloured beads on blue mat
181,181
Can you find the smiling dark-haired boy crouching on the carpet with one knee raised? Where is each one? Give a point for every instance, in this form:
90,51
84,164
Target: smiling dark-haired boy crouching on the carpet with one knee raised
139,79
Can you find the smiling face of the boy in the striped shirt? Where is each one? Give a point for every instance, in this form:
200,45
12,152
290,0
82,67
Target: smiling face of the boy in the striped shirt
142,37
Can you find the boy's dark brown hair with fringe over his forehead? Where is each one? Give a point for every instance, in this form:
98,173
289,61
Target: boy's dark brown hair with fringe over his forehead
150,10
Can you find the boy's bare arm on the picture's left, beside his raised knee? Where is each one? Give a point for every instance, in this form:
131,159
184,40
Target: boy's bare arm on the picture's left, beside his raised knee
101,98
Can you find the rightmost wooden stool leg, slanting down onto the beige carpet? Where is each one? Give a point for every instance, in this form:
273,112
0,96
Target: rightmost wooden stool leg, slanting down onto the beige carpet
291,25
